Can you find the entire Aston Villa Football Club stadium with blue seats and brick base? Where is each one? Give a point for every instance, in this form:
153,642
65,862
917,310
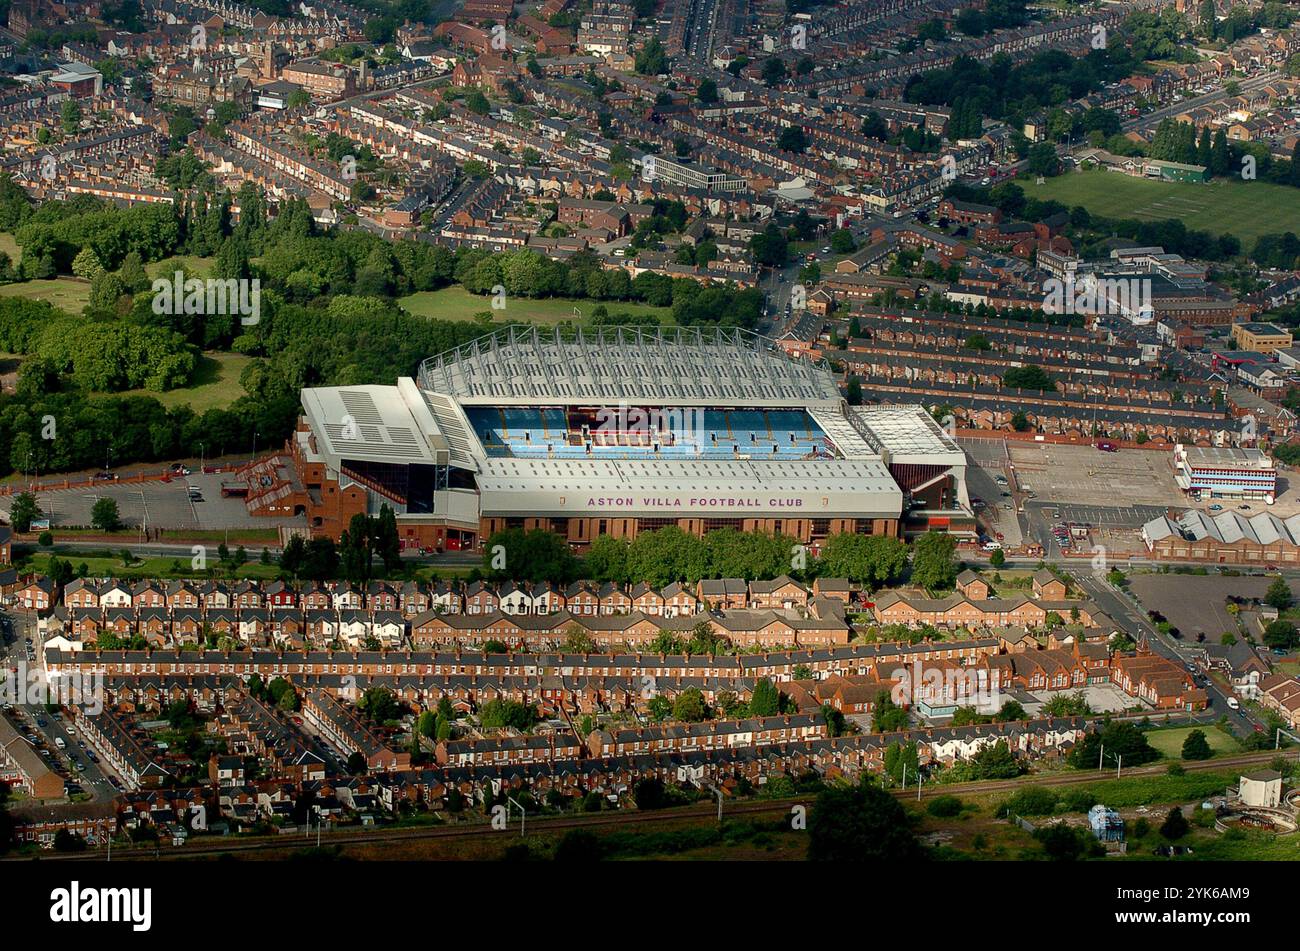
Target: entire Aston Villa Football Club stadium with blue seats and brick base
614,431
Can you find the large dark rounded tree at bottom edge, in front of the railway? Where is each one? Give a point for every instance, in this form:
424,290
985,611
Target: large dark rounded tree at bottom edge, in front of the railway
860,824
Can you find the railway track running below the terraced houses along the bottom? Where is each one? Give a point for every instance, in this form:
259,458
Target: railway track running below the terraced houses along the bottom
770,809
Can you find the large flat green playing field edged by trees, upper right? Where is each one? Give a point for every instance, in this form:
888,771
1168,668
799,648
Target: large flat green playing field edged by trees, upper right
1246,210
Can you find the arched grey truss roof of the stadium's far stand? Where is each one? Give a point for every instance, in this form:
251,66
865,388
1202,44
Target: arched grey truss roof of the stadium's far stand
522,366
